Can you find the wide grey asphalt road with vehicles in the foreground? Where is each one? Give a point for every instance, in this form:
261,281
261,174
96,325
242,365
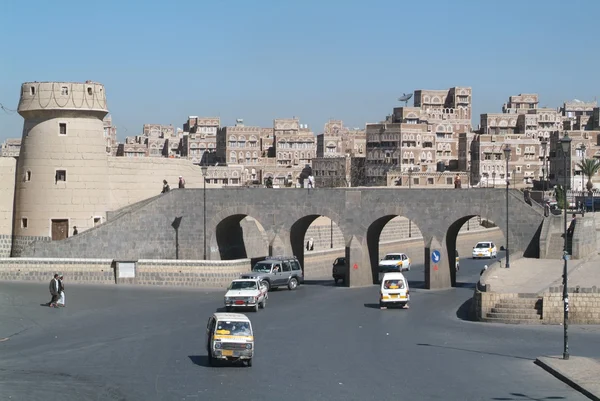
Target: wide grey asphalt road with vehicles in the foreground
317,343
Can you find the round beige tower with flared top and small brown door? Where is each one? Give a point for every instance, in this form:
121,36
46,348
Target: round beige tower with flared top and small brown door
62,169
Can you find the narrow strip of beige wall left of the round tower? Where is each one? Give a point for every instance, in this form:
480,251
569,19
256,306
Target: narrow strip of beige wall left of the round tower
8,168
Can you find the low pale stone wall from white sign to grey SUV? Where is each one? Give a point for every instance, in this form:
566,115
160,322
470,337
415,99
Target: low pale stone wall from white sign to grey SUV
190,273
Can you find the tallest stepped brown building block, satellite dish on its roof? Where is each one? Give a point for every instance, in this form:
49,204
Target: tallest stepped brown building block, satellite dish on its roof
423,138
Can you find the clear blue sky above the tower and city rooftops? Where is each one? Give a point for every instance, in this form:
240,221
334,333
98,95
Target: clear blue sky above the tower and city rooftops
265,59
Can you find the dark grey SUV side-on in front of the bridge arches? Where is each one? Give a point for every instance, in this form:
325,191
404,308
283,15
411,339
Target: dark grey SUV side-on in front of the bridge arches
278,271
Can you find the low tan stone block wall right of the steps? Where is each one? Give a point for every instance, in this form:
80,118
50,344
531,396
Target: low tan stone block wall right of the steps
584,306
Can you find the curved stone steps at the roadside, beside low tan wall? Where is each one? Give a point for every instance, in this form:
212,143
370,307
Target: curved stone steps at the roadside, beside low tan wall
525,309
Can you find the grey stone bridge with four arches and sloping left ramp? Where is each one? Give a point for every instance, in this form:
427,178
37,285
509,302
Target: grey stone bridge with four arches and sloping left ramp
172,225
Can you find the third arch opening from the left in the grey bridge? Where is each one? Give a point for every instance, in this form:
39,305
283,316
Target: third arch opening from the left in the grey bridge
395,234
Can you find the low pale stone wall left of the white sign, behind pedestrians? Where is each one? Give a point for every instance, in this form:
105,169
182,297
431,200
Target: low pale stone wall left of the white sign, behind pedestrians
90,271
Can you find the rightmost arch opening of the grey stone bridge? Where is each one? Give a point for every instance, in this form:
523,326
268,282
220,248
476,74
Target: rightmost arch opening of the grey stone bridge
461,238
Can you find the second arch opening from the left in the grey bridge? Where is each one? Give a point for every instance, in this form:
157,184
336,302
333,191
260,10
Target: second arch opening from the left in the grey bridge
317,241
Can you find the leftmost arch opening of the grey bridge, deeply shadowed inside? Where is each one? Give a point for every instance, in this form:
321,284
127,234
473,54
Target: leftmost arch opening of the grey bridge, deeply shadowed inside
241,236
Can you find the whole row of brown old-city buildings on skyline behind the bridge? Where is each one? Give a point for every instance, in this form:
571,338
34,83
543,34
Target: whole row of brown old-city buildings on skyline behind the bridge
428,144
